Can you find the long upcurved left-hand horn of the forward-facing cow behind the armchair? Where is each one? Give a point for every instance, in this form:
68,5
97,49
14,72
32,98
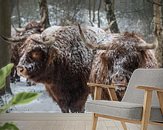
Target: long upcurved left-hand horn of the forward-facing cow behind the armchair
89,44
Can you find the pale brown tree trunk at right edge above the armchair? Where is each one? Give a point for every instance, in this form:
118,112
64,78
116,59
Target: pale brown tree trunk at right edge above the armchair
158,31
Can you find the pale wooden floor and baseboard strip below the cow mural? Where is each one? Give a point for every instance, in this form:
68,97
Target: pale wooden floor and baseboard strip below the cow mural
57,121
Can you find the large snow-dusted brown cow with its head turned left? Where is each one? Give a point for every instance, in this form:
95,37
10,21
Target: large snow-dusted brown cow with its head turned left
62,62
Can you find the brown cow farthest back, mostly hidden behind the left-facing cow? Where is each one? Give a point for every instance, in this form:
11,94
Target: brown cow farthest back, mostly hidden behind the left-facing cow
17,41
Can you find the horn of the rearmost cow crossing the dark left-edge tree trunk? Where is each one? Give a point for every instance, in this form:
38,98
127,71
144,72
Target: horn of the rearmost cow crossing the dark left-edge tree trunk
12,40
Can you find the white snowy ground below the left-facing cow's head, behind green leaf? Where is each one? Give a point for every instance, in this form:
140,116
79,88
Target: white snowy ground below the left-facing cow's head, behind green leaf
43,103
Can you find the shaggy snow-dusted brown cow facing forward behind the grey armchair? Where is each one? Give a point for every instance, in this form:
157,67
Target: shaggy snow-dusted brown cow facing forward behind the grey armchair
117,60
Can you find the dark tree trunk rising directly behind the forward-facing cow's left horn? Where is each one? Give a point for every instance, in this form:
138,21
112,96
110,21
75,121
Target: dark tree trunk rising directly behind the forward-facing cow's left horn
109,6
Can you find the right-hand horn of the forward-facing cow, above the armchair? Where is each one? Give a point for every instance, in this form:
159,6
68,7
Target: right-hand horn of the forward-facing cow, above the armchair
145,46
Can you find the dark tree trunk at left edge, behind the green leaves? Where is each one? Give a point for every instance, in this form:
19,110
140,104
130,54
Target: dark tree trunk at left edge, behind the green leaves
5,30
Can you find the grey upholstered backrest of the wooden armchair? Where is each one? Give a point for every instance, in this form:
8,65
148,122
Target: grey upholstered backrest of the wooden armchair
144,77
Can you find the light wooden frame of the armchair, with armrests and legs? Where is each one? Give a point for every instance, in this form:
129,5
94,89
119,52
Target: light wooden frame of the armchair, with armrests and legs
146,106
